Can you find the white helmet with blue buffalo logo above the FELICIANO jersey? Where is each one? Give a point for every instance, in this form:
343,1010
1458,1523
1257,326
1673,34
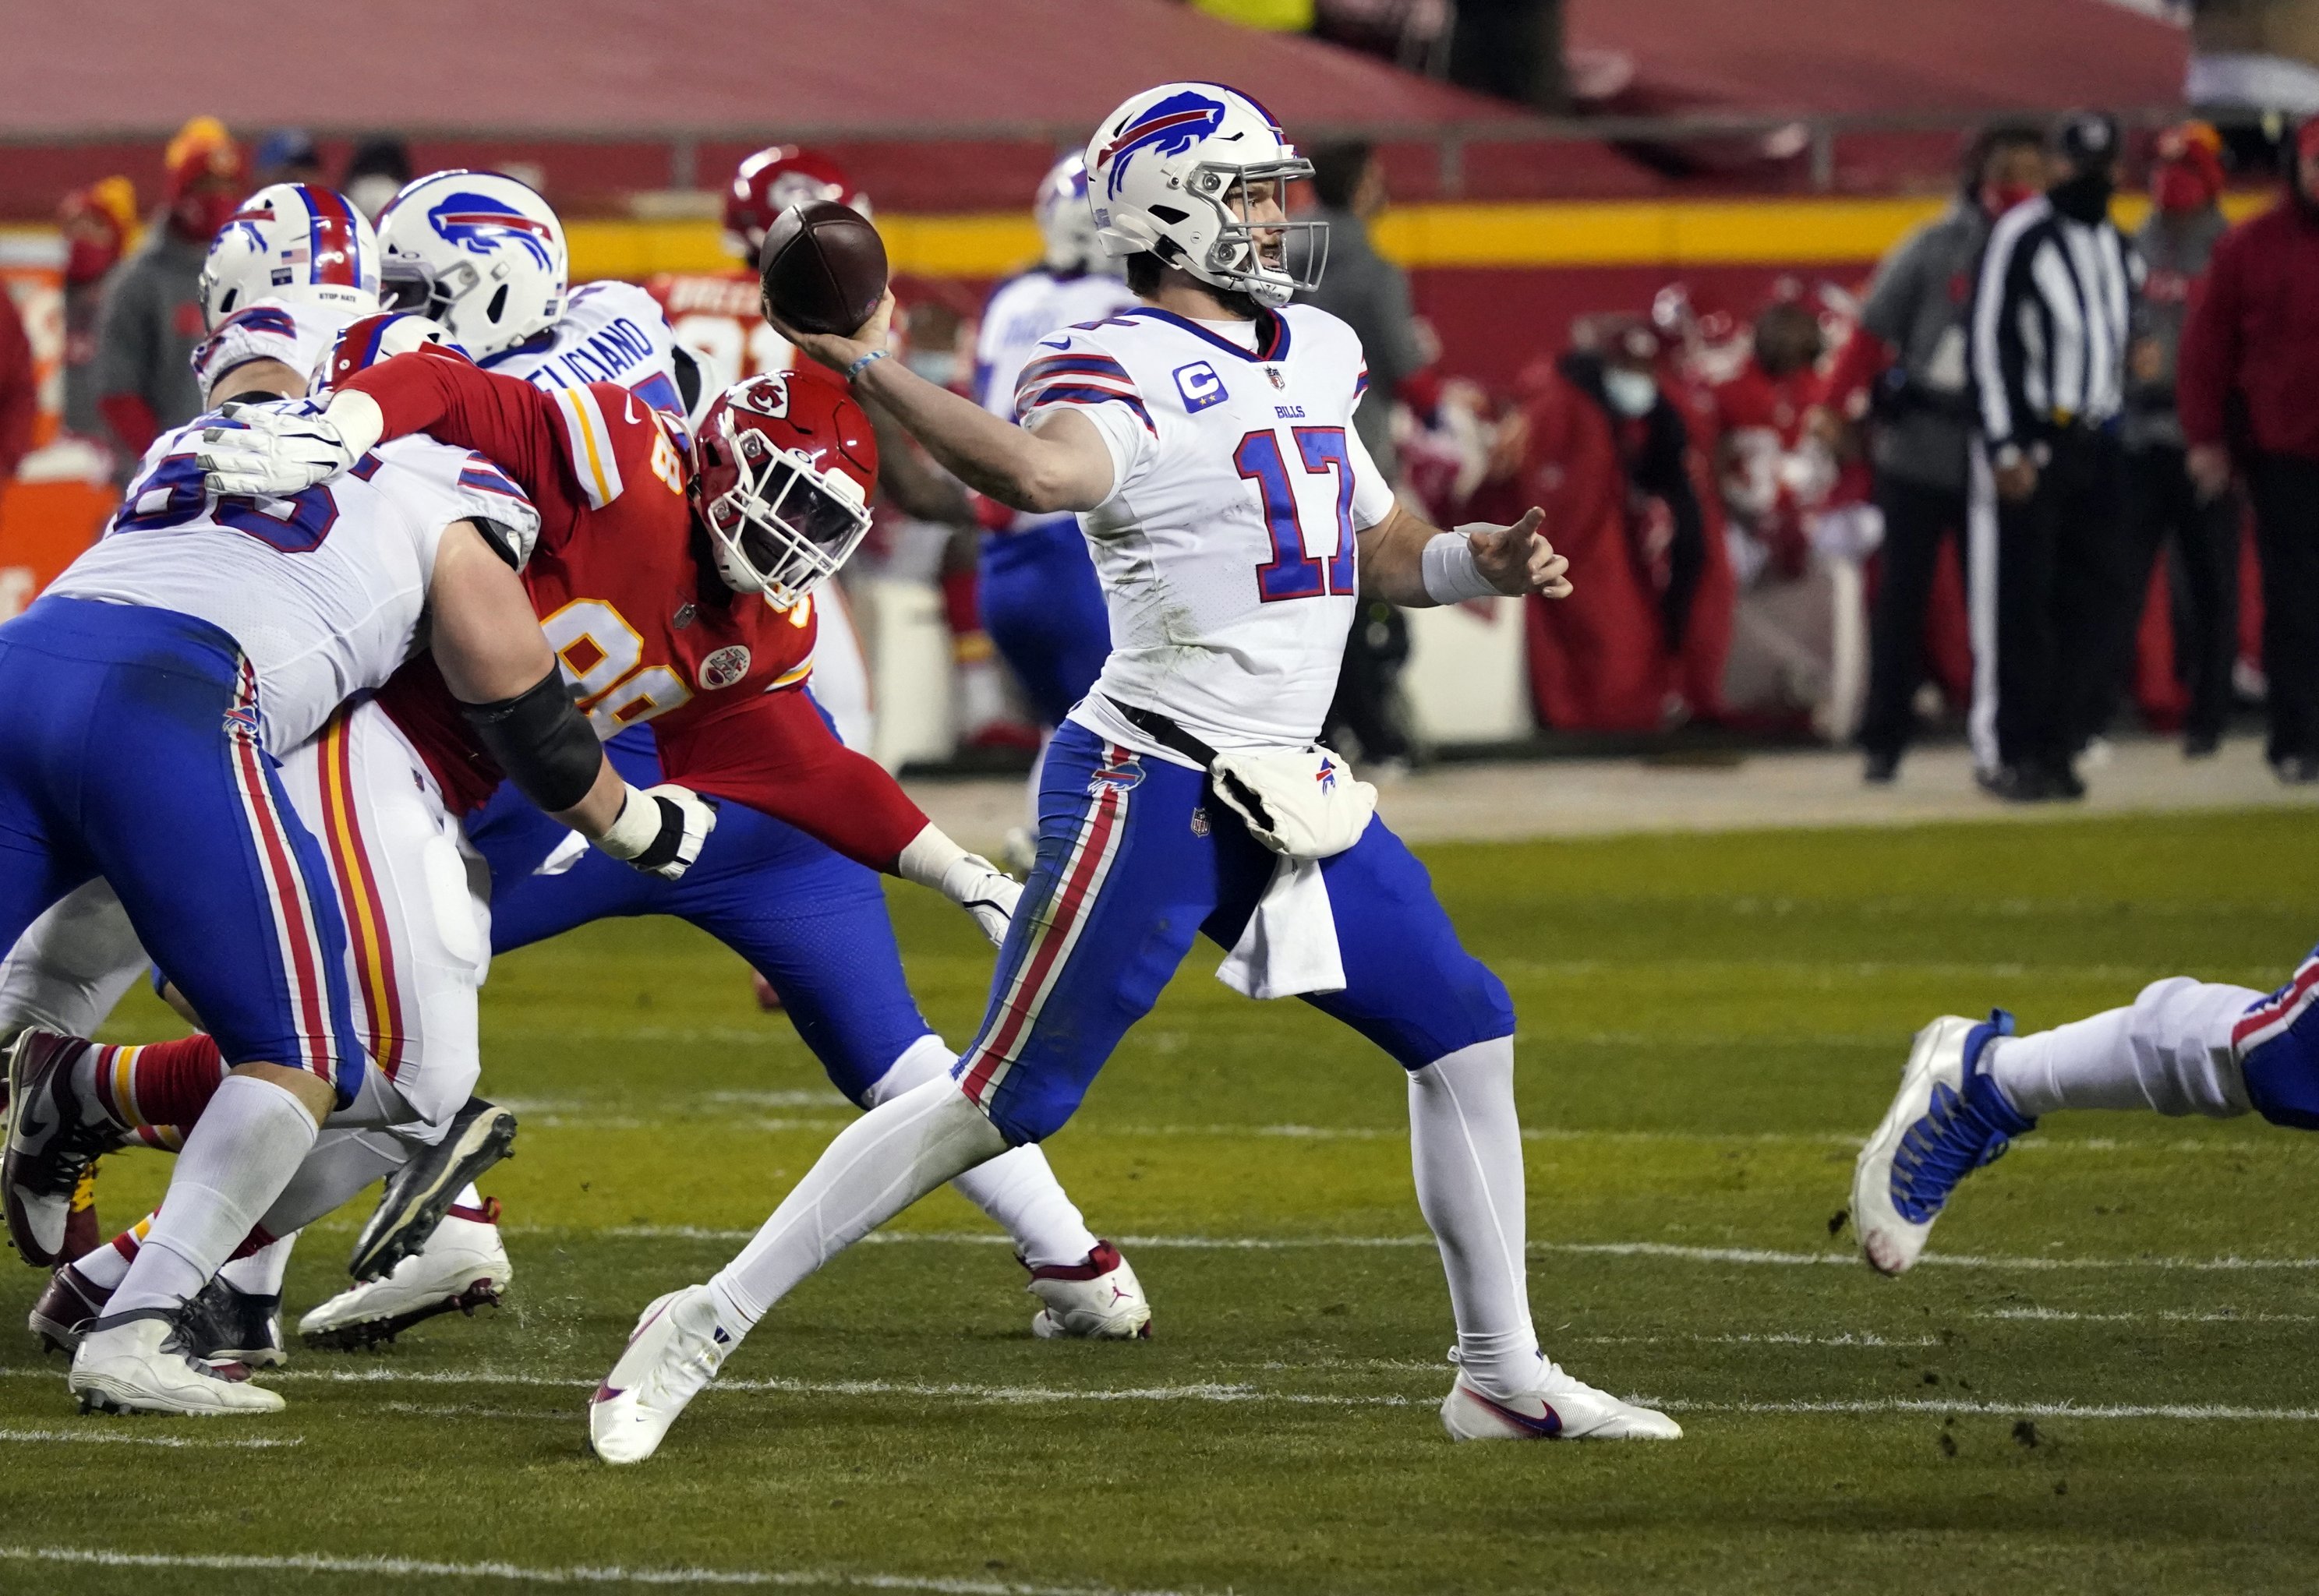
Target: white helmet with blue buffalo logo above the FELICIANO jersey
479,254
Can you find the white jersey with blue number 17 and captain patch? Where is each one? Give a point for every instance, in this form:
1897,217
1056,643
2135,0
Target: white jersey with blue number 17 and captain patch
1228,542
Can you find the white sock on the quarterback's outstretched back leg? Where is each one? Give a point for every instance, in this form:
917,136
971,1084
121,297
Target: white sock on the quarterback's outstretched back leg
878,1166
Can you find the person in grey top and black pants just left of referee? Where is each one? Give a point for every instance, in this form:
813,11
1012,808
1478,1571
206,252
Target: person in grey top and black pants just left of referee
1910,351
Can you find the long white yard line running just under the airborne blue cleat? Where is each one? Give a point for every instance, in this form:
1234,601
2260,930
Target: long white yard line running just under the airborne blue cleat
1576,1249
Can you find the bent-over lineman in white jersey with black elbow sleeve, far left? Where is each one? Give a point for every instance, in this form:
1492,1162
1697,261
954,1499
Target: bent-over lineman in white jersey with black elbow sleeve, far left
198,639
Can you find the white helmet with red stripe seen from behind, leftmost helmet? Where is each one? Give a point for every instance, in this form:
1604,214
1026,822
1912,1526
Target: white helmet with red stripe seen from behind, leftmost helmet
291,242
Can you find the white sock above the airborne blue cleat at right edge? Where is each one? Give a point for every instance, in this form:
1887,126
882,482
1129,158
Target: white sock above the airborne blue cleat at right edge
2167,1052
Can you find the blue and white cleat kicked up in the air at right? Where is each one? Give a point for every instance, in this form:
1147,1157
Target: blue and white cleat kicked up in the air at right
1947,1122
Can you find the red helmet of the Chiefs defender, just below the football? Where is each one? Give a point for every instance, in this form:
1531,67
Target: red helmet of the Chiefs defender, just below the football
785,472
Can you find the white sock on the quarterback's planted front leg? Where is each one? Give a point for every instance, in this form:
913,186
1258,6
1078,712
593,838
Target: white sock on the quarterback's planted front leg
1467,1152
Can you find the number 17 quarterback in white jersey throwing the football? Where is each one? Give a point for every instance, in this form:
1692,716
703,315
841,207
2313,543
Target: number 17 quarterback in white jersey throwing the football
1207,444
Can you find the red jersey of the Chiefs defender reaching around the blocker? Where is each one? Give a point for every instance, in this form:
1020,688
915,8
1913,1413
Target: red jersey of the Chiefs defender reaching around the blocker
639,618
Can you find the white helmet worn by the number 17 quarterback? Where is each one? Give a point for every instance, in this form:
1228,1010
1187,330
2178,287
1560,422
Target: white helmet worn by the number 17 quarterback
1170,173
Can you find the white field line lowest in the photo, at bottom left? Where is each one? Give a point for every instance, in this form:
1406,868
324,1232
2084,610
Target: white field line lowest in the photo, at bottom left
414,1569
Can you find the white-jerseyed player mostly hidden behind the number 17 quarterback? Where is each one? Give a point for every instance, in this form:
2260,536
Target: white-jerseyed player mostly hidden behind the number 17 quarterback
1040,600
